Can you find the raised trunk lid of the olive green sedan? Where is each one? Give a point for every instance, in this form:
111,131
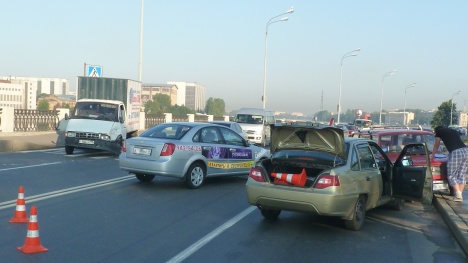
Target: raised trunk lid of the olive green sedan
320,139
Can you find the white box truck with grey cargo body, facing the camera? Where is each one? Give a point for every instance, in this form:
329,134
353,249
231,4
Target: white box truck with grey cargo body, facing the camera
107,112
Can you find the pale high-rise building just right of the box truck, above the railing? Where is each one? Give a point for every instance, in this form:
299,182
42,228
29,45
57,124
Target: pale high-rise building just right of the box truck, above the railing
190,95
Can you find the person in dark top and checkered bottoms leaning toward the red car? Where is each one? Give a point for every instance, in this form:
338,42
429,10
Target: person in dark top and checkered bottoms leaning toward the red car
457,163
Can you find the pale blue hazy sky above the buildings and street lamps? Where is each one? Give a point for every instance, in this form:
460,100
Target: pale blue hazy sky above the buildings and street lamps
220,44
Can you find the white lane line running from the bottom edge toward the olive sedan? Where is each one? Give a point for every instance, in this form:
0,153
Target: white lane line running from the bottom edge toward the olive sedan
203,241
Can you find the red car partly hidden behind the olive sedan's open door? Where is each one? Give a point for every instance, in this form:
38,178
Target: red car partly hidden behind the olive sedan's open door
392,142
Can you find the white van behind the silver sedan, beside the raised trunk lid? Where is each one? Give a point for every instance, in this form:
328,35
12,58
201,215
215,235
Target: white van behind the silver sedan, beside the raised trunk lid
256,123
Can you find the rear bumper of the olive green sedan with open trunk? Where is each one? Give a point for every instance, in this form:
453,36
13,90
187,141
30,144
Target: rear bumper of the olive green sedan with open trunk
297,199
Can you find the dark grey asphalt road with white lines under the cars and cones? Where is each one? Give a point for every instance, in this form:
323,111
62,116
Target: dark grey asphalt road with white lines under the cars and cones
90,211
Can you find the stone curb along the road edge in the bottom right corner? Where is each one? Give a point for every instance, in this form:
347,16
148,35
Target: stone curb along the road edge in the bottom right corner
453,220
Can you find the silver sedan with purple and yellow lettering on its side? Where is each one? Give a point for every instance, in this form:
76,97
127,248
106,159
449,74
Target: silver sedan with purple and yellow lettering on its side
189,151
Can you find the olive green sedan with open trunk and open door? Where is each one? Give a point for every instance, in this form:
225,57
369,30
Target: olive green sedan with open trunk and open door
315,169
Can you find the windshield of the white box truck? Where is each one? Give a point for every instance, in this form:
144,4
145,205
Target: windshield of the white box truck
96,110
